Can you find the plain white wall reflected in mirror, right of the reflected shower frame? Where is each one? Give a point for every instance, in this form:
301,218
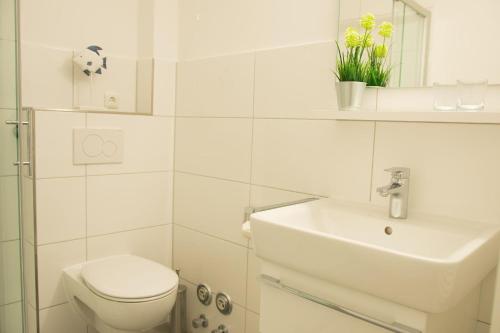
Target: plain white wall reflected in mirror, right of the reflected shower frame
462,43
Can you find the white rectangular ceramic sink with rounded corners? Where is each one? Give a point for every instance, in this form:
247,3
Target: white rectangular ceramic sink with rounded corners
427,263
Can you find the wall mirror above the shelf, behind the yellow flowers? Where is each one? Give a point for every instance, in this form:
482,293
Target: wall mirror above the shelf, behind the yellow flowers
434,41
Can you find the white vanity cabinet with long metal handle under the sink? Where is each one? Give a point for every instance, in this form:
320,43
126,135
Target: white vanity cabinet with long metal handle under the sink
292,306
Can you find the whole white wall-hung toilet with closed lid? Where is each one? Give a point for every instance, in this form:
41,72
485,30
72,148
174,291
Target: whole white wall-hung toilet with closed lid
121,294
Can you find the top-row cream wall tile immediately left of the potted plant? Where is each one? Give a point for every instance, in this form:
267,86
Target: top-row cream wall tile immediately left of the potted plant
295,82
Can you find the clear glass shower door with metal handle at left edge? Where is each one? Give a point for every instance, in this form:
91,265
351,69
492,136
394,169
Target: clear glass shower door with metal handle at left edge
11,282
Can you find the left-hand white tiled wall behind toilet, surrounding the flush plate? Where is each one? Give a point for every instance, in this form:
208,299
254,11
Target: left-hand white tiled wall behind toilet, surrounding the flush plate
87,212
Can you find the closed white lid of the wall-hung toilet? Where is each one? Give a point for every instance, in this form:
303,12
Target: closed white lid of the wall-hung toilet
128,277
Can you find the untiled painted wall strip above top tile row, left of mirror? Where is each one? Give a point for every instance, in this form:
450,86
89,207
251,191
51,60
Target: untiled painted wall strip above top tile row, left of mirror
205,30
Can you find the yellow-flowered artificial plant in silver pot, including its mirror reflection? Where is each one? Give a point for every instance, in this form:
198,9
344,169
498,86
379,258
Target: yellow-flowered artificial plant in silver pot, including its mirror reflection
360,63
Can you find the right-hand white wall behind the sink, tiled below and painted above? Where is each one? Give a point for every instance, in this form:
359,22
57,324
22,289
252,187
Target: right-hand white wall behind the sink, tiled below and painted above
253,127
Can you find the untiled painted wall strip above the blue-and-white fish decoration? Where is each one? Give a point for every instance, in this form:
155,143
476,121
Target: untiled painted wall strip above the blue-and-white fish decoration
41,22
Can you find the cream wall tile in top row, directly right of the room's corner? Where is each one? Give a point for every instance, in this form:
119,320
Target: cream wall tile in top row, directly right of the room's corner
221,86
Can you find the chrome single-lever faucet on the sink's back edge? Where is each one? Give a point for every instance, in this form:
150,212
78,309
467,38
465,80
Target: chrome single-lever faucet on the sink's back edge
398,191
